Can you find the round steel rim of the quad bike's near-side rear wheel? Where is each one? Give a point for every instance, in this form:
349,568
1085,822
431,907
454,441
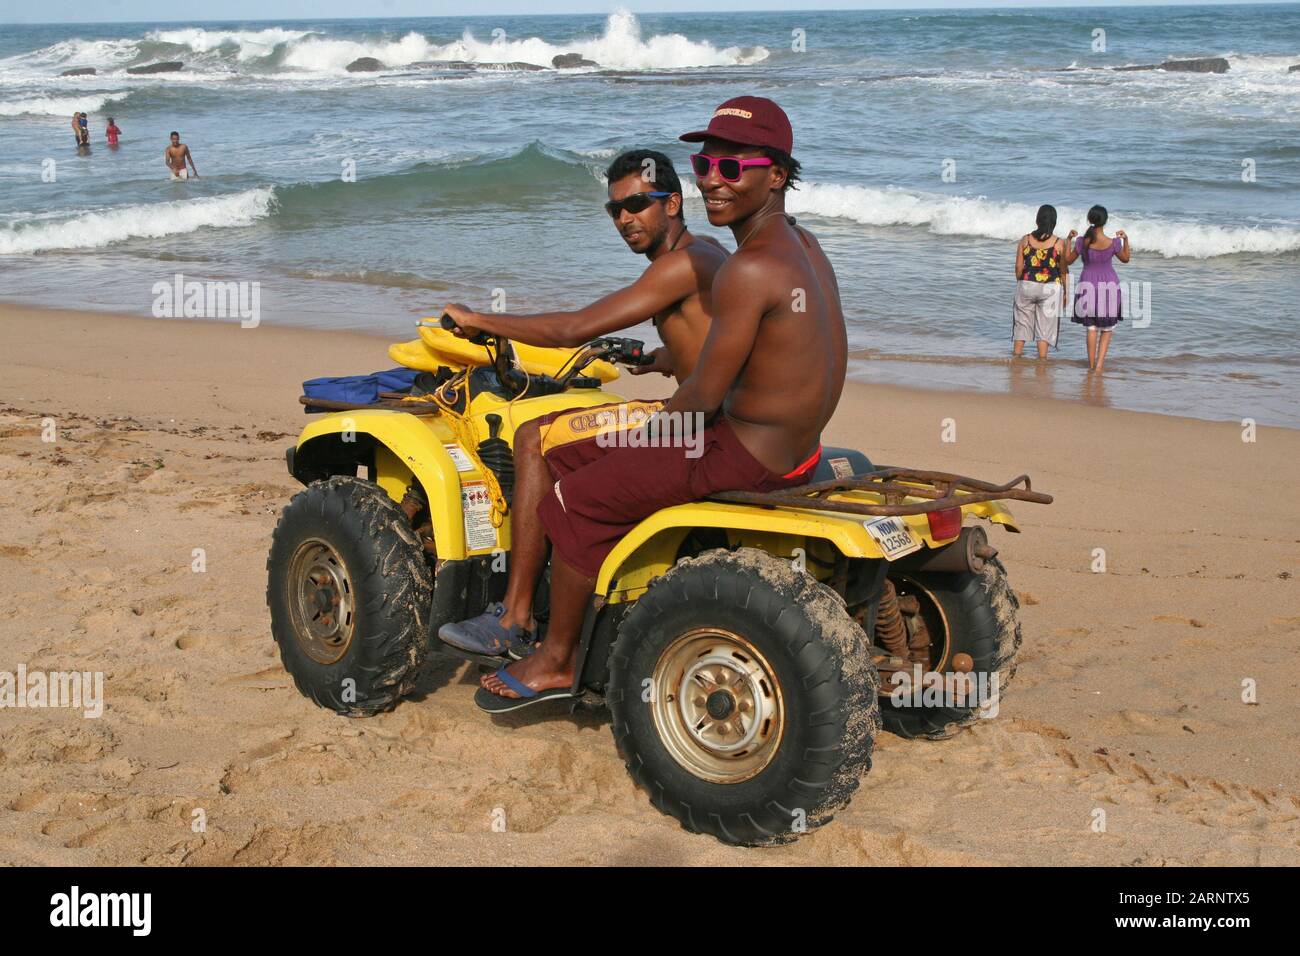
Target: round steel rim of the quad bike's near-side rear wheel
717,706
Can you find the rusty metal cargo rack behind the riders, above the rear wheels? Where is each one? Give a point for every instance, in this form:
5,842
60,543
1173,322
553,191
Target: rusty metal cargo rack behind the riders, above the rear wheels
938,490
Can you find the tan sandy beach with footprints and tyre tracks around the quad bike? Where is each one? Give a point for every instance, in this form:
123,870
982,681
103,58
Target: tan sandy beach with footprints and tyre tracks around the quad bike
171,438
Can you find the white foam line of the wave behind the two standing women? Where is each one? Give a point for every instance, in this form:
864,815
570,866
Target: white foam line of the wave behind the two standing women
1000,220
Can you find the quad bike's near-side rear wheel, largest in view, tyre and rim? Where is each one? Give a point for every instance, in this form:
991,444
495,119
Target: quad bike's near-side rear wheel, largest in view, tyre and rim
743,698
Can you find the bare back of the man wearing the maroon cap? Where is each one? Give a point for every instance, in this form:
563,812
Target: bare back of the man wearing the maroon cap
791,384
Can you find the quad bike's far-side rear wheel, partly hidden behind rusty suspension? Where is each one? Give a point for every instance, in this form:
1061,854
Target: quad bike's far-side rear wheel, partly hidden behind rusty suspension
976,615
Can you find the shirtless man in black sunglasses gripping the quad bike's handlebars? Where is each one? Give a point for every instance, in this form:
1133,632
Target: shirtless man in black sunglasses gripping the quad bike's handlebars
645,205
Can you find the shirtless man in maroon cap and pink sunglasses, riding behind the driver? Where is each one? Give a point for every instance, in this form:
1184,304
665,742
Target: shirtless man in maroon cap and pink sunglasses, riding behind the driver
770,377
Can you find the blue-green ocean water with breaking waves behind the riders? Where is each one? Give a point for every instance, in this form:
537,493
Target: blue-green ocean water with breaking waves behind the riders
928,139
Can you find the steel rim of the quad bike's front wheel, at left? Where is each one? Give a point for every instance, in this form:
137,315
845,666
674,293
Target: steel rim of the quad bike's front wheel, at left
322,602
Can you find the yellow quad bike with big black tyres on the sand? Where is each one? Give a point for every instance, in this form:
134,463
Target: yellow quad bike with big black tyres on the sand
748,647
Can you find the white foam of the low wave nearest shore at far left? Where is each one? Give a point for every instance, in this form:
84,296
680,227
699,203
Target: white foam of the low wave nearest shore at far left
153,220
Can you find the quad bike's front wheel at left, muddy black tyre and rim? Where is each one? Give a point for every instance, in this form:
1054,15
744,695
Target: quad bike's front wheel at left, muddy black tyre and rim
349,592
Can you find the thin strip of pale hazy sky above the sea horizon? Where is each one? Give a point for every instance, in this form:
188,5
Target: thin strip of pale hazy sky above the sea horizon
198,11
